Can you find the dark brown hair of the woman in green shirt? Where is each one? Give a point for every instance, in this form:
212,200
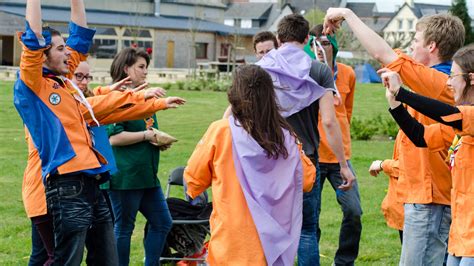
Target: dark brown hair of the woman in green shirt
126,57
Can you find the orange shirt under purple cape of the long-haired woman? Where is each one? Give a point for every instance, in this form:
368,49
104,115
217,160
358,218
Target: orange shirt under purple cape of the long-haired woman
234,238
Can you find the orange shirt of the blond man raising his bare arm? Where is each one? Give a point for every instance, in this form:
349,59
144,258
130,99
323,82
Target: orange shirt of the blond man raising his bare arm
424,176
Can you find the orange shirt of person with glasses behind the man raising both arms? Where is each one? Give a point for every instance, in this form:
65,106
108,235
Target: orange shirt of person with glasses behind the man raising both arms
33,193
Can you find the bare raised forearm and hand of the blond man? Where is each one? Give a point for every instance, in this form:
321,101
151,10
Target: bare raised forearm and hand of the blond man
377,47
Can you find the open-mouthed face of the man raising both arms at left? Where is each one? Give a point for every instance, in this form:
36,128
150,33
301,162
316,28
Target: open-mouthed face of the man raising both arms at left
58,55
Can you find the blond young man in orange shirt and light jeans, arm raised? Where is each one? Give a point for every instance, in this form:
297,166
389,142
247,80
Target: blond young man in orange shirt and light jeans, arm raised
424,183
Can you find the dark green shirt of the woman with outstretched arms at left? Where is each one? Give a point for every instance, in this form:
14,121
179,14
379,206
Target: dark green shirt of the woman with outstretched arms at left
137,163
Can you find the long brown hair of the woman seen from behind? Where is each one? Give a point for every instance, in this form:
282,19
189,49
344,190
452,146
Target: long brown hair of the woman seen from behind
253,101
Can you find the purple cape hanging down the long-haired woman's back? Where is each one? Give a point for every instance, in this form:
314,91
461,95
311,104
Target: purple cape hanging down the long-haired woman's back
273,190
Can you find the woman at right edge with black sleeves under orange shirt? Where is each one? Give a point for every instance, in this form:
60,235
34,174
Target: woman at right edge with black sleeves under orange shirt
440,136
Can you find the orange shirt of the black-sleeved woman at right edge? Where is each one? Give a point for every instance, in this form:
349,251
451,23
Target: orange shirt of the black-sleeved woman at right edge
461,234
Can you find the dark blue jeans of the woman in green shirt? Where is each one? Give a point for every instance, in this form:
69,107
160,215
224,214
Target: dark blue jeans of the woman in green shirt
152,204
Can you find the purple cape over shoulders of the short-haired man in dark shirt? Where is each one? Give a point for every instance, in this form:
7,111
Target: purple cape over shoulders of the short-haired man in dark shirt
289,67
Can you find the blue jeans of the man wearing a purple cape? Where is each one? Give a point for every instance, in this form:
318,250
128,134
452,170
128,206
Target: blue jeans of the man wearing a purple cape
308,249
